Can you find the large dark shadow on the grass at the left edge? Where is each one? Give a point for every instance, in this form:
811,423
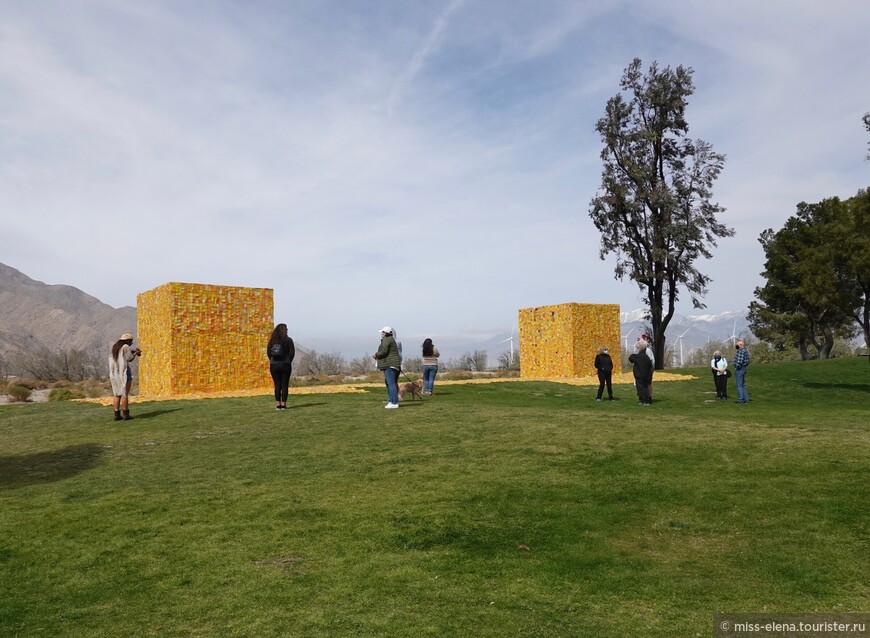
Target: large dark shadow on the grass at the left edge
46,467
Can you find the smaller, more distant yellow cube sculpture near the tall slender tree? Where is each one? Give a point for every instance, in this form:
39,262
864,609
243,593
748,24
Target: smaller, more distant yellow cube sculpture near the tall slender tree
562,340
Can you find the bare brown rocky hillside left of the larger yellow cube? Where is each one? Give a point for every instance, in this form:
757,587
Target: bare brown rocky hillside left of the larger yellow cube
37,317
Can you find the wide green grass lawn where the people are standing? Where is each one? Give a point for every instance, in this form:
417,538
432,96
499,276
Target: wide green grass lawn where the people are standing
508,509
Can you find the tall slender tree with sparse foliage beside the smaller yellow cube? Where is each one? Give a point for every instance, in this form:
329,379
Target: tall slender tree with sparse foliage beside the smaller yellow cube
654,208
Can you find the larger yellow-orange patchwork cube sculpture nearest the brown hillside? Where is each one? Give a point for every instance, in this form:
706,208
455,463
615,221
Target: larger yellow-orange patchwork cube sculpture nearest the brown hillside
203,338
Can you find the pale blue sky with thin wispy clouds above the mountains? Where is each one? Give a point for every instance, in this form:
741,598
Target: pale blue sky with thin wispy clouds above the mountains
424,165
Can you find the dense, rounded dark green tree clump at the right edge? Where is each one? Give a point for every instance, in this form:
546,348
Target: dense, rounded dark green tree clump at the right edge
818,277
